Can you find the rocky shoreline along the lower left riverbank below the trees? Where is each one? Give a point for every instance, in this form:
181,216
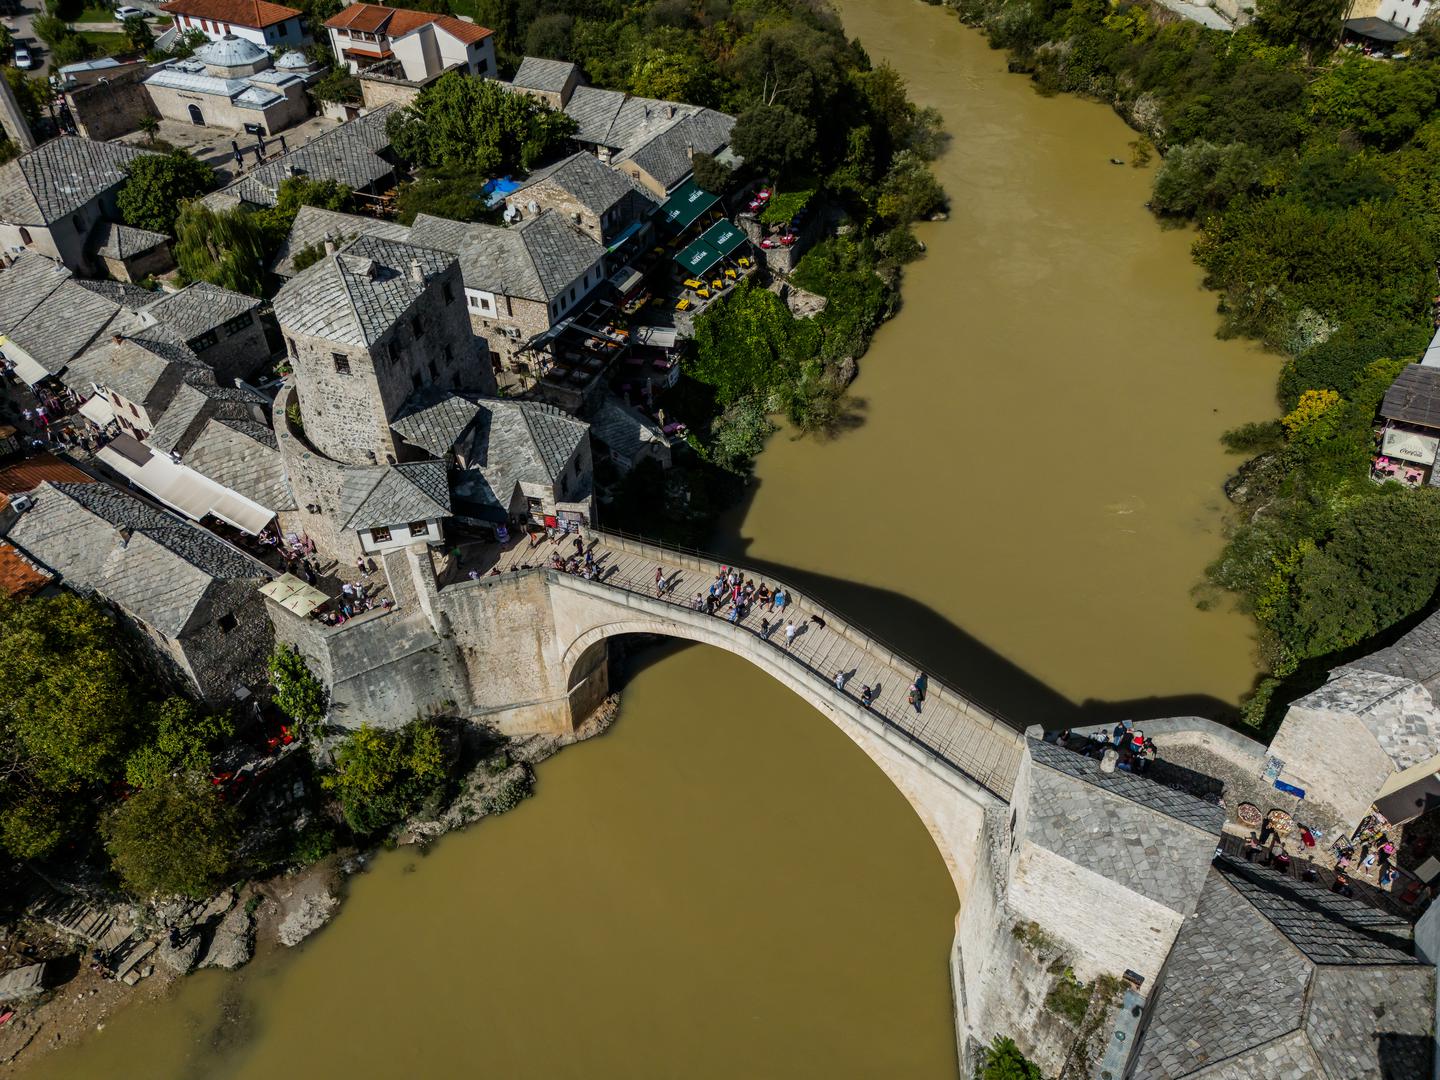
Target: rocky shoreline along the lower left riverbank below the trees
171,940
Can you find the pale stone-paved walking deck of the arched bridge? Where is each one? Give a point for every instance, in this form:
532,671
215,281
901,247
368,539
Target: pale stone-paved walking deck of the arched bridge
951,728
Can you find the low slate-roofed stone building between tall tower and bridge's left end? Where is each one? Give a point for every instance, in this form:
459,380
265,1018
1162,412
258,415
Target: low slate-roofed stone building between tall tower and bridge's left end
513,462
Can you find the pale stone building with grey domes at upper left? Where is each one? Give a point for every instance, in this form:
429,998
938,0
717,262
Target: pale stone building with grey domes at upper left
230,84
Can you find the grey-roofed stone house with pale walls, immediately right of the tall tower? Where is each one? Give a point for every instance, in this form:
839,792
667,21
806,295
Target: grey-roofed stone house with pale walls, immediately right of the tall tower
521,282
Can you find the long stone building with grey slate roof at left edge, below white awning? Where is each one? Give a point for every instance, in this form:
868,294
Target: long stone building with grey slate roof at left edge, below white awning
192,597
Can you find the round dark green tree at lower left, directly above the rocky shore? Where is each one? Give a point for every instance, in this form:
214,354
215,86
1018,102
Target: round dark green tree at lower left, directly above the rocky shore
174,837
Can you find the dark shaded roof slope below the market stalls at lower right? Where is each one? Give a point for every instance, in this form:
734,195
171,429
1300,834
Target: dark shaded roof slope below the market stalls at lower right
1323,925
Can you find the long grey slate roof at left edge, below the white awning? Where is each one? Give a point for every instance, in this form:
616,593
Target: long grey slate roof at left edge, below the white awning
156,567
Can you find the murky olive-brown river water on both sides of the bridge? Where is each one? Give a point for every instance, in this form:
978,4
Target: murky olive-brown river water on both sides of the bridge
724,885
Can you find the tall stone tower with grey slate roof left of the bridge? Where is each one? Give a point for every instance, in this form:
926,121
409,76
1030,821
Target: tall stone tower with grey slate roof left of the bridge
365,329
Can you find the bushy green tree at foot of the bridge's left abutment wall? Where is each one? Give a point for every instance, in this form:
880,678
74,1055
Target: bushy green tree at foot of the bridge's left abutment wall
385,775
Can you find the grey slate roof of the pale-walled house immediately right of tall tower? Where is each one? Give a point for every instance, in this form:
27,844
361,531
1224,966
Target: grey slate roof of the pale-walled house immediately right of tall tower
538,260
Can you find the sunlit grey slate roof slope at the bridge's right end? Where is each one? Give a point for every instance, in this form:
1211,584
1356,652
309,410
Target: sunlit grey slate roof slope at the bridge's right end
1153,855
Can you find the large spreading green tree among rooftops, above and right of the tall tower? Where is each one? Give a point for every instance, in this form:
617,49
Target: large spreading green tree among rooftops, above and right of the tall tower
459,122
